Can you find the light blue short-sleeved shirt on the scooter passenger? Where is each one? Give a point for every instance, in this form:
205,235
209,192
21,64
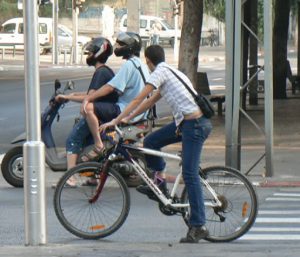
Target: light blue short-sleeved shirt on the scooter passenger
129,82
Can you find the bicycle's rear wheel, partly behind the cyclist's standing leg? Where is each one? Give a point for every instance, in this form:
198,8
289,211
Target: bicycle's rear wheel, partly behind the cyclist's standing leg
239,204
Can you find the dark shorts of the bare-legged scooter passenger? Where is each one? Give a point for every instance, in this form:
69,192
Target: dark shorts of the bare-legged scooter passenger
106,111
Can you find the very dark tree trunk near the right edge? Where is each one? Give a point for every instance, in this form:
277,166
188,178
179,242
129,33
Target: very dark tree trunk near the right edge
280,38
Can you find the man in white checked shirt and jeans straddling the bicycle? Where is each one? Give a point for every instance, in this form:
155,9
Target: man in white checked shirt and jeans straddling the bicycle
189,126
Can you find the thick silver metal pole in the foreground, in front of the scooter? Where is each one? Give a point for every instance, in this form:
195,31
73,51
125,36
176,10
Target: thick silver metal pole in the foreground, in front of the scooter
34,149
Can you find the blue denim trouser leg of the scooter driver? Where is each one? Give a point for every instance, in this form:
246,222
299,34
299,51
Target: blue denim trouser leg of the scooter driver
79,137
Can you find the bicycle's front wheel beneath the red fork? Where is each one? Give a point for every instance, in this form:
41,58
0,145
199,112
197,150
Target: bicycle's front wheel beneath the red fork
82,211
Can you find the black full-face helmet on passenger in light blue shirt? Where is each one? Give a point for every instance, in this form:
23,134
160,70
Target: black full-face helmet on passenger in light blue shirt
130,43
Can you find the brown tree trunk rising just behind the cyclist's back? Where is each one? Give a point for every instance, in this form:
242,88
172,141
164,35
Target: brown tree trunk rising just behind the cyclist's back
190,38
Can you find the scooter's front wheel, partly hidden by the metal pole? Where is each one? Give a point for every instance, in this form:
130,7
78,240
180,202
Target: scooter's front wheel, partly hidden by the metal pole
12,167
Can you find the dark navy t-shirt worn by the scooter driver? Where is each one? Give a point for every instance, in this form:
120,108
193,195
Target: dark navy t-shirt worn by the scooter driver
101,76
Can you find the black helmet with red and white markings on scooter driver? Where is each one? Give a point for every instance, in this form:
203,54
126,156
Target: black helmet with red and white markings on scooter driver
99,49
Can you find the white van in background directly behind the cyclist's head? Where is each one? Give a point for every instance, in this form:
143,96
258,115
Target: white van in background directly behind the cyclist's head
167,33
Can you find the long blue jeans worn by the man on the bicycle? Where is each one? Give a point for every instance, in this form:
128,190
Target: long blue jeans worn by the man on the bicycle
193,134
